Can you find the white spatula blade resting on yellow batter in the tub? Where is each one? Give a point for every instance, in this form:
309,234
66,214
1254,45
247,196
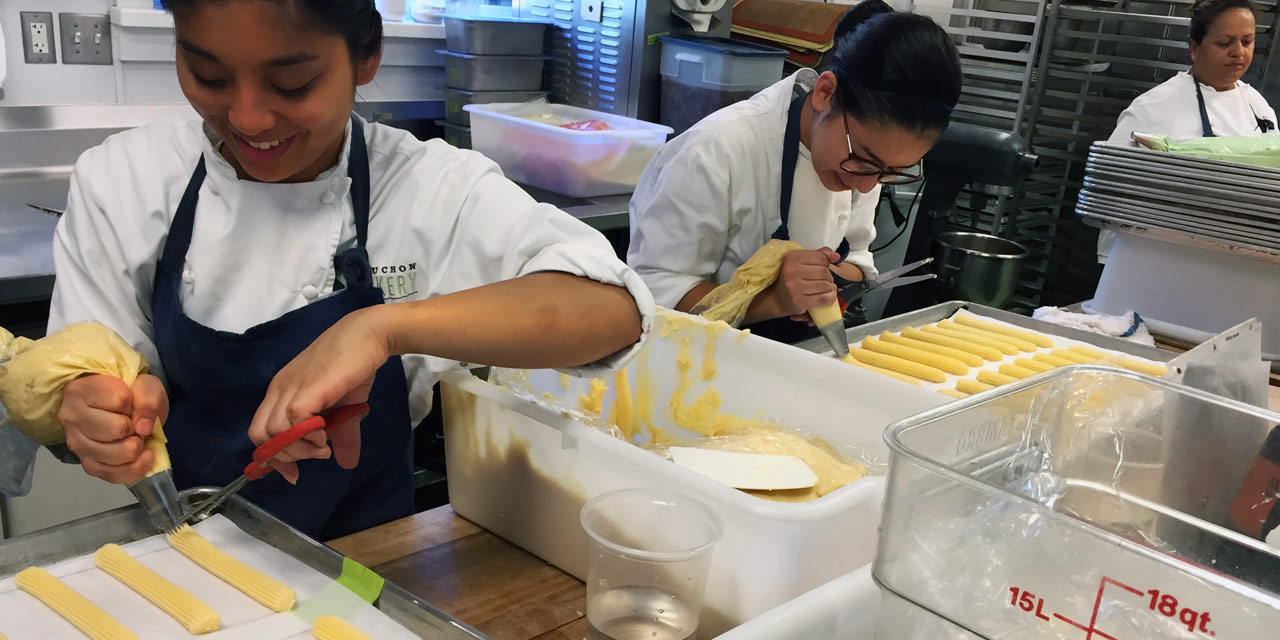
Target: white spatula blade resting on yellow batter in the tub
753,472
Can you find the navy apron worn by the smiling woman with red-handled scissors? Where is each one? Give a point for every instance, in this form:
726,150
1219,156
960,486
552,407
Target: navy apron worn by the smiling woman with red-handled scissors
217,381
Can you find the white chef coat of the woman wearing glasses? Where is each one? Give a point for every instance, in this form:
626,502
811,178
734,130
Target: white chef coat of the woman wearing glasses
710,199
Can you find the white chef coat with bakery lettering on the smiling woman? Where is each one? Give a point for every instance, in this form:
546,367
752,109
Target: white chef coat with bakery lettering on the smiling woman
441,221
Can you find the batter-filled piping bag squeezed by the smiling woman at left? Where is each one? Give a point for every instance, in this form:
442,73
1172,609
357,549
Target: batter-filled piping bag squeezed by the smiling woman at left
35,373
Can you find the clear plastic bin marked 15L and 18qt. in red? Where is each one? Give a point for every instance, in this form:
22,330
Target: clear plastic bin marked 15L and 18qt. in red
1081,502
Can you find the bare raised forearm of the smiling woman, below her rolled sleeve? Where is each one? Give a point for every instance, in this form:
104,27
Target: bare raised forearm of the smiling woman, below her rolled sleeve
541,321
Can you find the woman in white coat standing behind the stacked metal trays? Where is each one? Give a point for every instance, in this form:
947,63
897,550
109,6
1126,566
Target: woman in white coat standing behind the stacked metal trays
1209,100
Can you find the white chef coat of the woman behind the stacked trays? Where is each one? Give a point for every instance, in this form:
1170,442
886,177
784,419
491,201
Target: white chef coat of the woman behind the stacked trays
1172,109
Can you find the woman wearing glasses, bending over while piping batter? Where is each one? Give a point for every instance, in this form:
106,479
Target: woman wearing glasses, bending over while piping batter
784,164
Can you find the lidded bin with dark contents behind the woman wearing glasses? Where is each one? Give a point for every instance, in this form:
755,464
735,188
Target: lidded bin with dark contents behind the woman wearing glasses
702,75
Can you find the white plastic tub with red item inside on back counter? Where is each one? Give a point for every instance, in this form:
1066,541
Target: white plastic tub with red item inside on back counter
574,163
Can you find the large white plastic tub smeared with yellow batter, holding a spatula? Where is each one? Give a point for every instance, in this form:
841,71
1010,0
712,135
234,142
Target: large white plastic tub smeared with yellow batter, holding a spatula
523,467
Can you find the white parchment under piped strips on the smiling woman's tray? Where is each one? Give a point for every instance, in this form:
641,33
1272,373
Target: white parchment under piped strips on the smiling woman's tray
22,618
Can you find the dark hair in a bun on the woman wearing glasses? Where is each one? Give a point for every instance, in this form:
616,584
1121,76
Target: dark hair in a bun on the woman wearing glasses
895,68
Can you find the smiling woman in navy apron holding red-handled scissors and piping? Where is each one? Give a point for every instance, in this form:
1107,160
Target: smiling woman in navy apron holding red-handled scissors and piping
278,257
